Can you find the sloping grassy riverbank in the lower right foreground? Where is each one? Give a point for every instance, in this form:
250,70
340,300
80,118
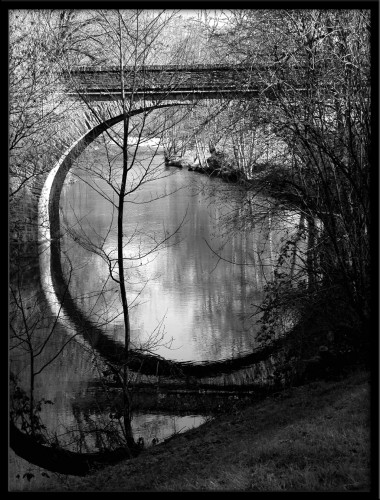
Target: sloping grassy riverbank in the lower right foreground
314,437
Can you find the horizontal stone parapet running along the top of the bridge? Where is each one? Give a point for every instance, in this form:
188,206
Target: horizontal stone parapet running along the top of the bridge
168,82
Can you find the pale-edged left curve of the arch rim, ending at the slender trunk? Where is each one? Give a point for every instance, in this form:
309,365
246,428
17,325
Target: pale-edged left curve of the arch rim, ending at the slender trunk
52,277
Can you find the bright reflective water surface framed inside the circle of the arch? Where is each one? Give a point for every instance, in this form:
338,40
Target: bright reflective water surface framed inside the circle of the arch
184,290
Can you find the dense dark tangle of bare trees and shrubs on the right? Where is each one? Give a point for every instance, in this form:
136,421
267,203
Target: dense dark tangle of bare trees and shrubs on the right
315,68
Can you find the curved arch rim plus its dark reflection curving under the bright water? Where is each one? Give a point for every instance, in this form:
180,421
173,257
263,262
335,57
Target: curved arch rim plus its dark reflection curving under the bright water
63,305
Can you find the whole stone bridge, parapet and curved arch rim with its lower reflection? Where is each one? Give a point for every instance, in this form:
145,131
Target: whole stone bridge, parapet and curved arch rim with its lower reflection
168,86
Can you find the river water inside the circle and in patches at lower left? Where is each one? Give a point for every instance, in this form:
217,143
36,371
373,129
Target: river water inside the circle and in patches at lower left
194,275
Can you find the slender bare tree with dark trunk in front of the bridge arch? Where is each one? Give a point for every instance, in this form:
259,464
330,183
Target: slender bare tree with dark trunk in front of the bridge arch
132,36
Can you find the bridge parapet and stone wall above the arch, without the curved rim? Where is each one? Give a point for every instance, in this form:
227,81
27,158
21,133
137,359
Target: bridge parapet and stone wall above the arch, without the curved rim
94,98
